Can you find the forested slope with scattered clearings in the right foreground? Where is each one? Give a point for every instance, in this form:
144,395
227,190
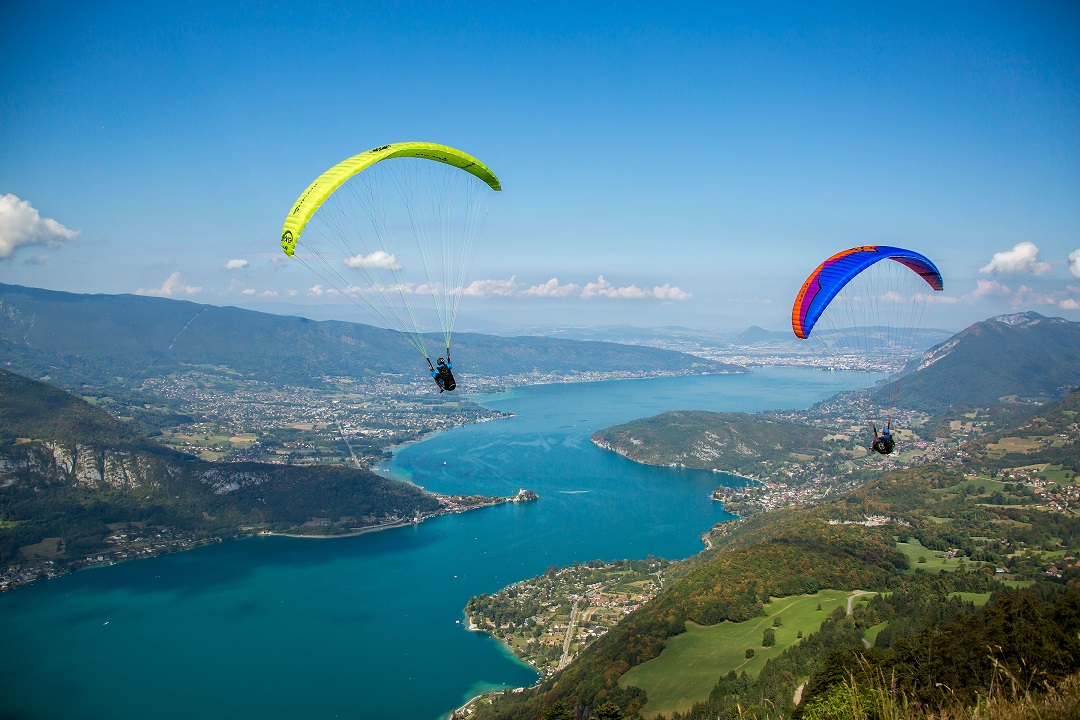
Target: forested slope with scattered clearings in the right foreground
925,535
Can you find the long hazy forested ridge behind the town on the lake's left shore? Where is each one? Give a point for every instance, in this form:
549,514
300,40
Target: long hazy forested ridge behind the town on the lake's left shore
102,339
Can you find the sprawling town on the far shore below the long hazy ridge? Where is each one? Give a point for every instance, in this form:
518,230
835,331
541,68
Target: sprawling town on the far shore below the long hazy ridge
223,417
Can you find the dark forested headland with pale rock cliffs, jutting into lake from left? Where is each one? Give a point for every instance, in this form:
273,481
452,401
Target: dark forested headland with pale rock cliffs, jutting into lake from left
69,471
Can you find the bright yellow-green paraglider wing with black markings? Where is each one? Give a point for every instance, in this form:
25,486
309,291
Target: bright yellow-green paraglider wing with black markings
332,180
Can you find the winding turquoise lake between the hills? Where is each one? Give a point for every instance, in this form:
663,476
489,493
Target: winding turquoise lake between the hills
369,627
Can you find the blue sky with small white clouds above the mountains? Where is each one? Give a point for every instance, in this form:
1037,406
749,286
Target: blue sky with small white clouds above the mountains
721,151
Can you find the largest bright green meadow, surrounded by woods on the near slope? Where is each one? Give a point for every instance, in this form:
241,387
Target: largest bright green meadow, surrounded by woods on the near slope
692,663
